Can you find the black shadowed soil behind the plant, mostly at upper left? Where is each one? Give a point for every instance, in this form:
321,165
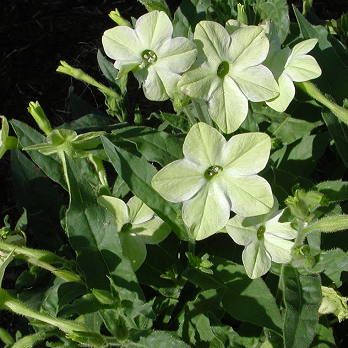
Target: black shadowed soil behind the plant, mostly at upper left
35,35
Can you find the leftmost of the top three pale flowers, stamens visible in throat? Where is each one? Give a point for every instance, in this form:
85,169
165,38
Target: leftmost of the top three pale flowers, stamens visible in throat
149,50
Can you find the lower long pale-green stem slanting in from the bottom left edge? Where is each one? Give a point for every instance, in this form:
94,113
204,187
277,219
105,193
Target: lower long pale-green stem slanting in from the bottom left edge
9,303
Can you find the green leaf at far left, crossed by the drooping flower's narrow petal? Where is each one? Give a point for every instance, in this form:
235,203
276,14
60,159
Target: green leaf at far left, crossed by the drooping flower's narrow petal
51,164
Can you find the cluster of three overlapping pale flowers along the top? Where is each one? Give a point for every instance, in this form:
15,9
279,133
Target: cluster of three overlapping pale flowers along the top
226,67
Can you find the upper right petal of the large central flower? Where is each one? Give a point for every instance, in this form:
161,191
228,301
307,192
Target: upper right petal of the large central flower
246,154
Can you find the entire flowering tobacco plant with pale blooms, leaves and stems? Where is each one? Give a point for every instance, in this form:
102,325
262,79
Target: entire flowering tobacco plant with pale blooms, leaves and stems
207,226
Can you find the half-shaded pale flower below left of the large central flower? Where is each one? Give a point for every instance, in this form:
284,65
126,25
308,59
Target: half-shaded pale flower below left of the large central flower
136,225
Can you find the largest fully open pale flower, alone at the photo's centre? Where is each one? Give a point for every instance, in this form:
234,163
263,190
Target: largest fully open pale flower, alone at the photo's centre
215,177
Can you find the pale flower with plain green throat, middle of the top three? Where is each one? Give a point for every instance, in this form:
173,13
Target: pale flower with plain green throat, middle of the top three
228,72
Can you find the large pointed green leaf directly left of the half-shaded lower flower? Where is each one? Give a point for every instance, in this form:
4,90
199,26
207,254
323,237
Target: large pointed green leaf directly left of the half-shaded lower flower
93,237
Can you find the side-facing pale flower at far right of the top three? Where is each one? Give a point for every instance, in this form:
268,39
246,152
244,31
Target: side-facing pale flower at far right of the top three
290,65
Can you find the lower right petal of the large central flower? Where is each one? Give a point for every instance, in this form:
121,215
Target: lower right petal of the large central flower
250,195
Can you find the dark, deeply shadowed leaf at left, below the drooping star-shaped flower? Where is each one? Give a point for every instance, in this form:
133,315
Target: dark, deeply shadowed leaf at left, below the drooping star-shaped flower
36,194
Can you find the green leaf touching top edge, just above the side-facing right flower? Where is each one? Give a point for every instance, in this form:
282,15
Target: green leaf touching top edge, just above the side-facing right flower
278,12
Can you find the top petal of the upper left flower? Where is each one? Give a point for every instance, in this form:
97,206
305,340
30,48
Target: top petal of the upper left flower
153,29
